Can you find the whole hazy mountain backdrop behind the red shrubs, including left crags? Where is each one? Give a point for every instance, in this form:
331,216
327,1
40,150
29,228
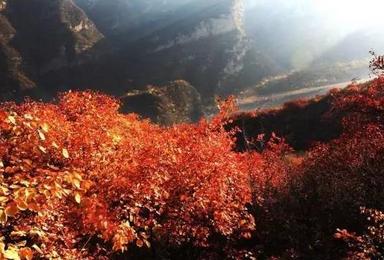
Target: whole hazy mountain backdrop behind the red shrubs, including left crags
220,47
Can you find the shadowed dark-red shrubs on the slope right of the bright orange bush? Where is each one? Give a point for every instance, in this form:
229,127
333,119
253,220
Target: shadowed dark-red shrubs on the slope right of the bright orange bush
329,181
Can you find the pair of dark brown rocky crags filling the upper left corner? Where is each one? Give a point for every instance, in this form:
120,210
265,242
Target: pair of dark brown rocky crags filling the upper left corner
39,36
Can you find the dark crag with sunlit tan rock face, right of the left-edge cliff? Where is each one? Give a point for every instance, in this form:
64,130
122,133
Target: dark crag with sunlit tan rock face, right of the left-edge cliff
50,33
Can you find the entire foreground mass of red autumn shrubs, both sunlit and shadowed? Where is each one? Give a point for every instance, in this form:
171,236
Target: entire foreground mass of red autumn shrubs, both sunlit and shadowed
79,180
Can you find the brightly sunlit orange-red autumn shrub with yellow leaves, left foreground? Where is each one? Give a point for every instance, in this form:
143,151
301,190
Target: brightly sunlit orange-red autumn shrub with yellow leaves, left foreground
80,180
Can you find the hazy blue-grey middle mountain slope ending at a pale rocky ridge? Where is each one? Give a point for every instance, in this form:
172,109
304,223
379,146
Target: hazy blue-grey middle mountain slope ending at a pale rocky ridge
203,42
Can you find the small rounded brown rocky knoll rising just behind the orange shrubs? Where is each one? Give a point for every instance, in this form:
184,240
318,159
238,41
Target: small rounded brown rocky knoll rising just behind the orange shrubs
176,102
